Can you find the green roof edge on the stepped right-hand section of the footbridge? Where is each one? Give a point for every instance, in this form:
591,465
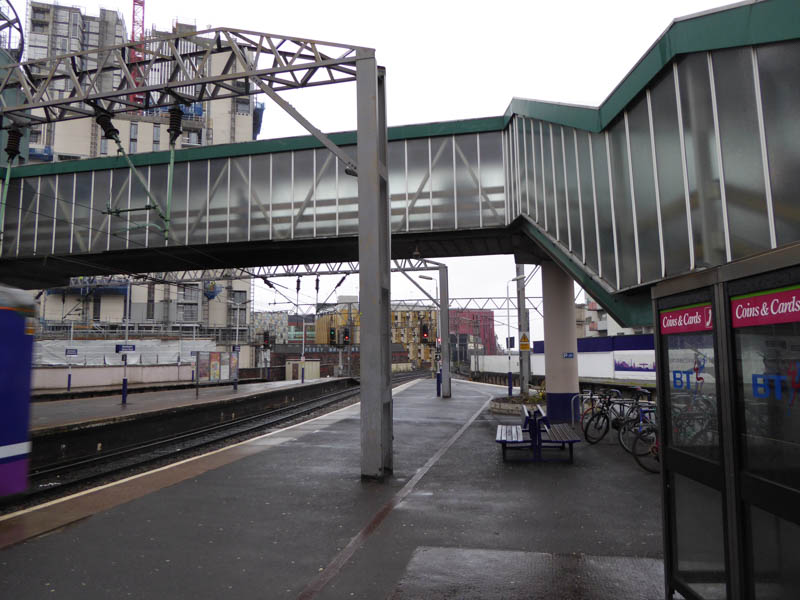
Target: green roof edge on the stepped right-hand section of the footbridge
744,24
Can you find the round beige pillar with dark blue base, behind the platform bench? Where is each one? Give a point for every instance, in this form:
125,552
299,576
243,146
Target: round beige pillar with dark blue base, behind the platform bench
560,342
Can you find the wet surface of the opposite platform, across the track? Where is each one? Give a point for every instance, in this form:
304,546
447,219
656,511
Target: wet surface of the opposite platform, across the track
80,410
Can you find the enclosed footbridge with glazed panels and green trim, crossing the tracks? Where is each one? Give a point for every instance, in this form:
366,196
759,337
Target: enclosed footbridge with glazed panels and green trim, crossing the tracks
683,167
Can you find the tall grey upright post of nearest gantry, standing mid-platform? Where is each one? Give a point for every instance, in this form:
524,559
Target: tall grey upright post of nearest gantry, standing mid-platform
374,243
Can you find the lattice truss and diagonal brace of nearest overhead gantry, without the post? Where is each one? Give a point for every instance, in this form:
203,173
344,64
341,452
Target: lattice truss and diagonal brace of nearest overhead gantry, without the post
181,68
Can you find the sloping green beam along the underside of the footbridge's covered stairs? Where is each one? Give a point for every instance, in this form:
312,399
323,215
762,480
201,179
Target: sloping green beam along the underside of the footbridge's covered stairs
629,309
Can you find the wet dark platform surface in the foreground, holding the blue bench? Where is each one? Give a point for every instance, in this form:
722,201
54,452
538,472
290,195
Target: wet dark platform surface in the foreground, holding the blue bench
288,516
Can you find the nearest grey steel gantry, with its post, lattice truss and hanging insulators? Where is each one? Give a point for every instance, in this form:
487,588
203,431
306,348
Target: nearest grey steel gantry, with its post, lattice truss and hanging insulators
184,68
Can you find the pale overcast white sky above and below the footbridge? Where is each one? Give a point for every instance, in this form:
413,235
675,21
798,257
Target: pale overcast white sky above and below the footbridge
444,61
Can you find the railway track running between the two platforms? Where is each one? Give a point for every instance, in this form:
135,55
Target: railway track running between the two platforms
56,479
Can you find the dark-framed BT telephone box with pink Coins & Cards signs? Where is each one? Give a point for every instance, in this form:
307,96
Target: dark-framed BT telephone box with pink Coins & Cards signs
728,354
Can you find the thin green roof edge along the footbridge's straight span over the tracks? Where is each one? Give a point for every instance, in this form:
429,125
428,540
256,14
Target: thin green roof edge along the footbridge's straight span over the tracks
345,138
